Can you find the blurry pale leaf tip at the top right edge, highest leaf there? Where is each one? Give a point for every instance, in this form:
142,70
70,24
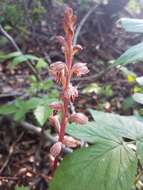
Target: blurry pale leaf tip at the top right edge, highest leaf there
132,25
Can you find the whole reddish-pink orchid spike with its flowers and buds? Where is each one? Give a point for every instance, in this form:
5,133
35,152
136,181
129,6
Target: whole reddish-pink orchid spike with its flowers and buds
62,74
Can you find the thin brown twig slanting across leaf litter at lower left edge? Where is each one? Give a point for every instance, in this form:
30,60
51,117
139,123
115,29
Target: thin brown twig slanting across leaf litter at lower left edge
11,150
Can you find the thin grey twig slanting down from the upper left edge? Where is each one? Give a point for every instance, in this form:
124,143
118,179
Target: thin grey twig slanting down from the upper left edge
34,71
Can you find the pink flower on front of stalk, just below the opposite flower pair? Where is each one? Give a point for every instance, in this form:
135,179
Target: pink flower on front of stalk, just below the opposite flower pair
71,93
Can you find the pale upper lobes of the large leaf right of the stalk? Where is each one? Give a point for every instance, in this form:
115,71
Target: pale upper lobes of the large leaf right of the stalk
120,126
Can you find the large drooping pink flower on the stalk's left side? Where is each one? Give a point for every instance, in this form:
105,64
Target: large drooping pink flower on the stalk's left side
58,70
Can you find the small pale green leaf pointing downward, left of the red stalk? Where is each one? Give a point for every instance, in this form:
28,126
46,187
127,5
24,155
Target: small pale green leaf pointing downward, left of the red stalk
42,113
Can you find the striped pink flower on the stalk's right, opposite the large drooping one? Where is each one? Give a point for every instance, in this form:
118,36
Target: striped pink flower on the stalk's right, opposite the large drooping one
80,69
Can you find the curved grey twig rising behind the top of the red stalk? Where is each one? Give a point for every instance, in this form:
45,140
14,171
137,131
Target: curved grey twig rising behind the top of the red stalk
82,23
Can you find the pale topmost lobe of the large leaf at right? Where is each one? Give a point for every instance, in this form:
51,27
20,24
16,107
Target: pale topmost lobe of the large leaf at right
123,126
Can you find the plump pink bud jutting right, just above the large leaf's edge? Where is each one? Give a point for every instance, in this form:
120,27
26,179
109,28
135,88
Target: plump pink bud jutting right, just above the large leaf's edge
78,118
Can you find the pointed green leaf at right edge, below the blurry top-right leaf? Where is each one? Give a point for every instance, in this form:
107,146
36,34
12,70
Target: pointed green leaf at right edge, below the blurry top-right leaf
132,55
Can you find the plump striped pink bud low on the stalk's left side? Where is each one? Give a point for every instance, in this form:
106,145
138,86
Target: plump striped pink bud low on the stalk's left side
55,150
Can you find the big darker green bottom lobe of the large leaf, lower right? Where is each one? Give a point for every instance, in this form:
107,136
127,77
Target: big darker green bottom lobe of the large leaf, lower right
107,165
